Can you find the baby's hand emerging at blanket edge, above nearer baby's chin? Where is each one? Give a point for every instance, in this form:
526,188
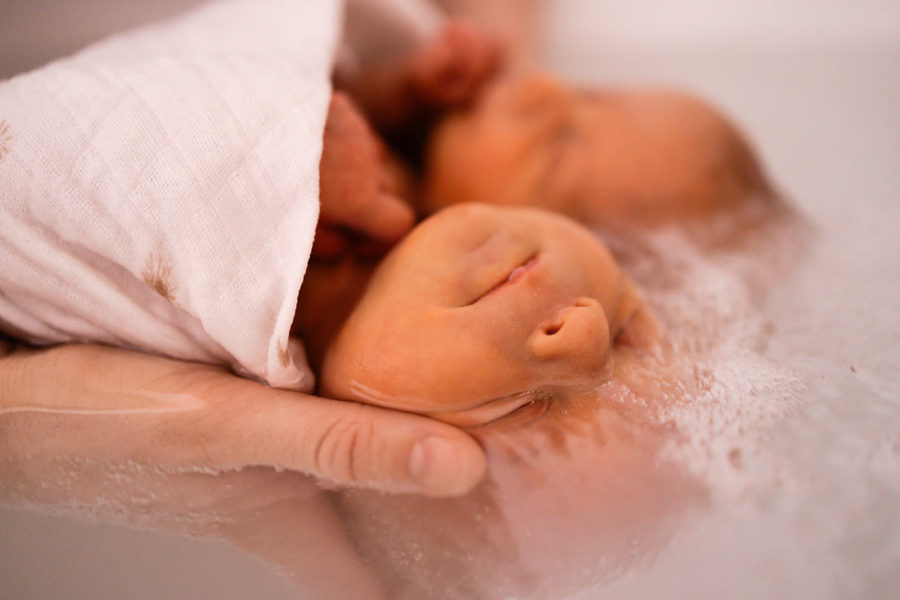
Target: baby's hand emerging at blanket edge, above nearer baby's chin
360,187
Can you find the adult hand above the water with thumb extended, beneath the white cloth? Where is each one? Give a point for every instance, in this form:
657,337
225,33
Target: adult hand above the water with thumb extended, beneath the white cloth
107,405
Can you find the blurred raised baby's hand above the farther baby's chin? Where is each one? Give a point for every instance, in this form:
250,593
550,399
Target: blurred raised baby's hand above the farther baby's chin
445,71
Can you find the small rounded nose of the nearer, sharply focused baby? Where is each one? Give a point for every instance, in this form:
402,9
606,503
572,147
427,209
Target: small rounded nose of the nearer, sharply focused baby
578,337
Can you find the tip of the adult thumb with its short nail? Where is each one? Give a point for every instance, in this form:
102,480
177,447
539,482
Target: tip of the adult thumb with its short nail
442,467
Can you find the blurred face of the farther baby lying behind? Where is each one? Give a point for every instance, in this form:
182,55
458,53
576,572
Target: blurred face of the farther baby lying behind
601,157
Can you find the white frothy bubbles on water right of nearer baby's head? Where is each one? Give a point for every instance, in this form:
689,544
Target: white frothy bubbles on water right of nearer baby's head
734,393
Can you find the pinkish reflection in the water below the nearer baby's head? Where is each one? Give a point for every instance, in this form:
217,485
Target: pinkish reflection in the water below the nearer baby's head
564,506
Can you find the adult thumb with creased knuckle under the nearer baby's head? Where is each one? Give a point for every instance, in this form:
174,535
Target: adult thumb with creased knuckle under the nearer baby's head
353,444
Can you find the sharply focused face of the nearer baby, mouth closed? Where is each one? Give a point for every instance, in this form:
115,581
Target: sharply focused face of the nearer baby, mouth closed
480,305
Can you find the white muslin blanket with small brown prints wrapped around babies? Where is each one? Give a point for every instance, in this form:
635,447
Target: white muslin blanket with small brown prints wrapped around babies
159,190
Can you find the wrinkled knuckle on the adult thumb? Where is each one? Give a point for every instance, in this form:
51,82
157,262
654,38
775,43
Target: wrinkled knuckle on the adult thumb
345,450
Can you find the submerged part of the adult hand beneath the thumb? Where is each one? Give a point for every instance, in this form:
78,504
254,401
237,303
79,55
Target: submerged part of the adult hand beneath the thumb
282,517
